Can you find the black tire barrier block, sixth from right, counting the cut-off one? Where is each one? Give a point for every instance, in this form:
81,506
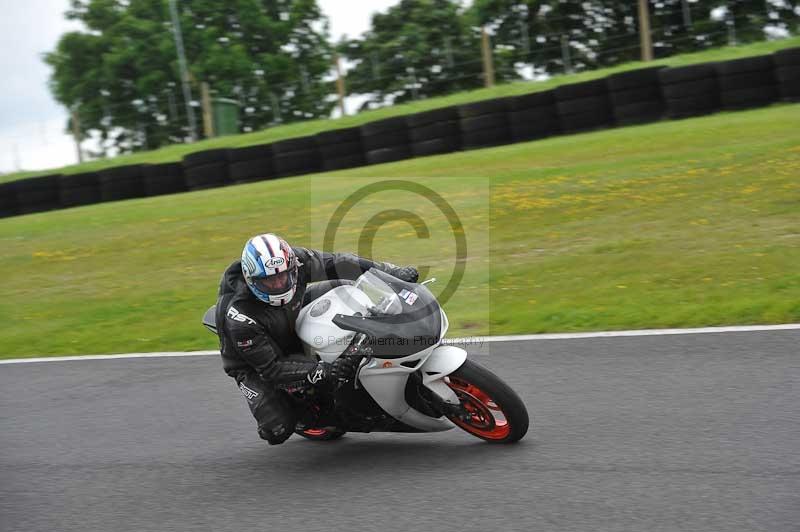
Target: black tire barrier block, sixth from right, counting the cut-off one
533,116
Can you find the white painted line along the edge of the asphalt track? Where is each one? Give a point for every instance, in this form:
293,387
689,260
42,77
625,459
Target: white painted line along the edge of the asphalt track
454,341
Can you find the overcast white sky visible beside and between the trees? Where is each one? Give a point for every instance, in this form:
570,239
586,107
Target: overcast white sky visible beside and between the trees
31,122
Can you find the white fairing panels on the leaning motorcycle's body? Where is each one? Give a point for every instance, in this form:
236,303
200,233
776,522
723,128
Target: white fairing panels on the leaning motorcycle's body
383,378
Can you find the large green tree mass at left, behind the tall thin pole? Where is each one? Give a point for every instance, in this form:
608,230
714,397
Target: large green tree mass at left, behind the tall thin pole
122,72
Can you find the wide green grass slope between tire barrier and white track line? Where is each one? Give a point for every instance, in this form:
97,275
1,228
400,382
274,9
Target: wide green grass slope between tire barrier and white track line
679,223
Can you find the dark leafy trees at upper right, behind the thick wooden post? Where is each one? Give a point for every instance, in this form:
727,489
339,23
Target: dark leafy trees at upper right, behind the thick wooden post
605,32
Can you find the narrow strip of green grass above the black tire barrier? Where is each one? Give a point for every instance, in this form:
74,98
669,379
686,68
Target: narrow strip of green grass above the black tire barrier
176,152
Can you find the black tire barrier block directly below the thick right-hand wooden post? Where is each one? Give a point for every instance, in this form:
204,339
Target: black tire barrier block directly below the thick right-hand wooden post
636,96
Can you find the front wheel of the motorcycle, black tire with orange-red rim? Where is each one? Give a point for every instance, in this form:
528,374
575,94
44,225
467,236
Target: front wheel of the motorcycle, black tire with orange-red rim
500,394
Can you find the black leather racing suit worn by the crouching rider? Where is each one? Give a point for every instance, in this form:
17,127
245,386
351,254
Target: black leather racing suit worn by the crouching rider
258,343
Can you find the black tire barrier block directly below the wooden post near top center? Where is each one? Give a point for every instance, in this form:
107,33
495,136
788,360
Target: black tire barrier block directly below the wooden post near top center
484,124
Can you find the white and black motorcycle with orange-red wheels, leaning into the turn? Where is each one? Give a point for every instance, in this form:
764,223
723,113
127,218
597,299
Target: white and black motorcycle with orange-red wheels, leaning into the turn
407,379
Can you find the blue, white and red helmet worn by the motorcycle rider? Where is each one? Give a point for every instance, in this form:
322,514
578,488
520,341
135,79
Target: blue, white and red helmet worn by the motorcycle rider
269,266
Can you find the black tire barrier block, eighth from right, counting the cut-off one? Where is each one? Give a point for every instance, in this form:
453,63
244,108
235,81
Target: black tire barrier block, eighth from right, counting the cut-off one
434,132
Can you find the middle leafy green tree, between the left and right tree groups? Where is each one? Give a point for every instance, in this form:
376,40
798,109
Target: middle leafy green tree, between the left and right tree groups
416,49
